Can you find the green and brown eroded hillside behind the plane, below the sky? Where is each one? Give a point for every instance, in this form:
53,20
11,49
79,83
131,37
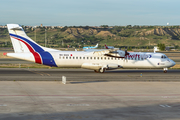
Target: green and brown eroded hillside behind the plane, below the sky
116,36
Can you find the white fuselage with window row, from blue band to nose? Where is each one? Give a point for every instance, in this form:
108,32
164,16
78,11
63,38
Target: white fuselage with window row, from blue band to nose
134,60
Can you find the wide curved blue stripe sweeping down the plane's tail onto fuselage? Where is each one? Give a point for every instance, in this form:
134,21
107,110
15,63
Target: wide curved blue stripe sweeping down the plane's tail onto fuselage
46,57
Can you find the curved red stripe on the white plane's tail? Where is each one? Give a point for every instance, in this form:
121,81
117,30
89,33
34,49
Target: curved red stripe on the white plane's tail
36,55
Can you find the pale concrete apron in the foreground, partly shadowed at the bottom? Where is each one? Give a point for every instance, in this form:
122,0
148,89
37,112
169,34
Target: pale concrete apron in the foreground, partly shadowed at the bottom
51,100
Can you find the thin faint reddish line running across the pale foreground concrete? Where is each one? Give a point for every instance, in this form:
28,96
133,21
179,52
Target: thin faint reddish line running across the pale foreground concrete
125,95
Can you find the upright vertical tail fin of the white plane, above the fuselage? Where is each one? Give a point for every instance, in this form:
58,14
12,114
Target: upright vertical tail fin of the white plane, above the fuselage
21,42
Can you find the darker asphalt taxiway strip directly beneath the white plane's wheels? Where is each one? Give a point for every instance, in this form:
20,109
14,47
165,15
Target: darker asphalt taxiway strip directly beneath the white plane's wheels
83,75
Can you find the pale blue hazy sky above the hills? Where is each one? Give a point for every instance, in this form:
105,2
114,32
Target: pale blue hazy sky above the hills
90,12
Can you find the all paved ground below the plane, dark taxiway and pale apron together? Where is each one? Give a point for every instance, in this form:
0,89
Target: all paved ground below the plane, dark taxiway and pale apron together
38,94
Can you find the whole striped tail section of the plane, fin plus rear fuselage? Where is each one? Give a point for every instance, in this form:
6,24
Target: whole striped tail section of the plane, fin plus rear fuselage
25,48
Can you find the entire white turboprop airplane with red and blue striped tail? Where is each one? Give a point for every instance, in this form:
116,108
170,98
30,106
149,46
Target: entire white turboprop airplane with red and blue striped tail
99,61
